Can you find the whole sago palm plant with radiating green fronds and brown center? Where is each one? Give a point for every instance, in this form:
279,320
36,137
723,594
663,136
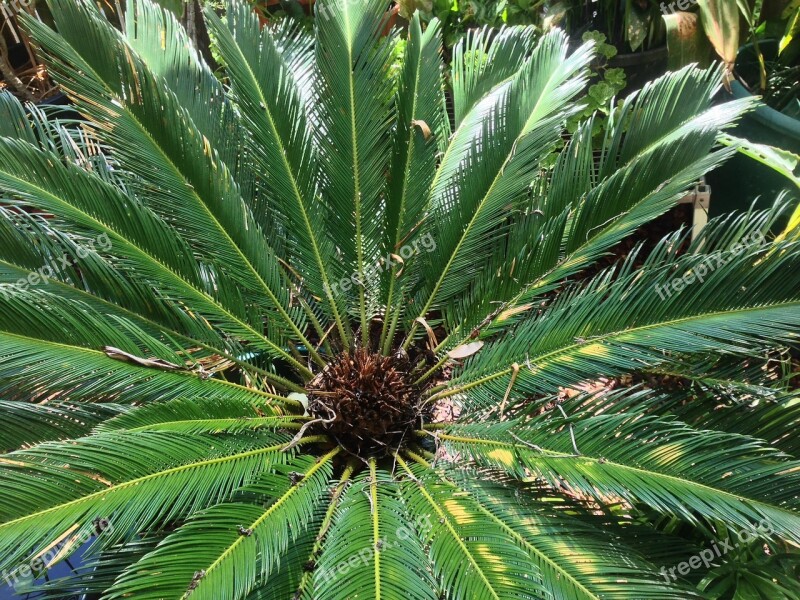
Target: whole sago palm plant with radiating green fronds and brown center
317,327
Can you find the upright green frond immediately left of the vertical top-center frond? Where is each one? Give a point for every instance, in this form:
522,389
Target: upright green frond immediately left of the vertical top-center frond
267,90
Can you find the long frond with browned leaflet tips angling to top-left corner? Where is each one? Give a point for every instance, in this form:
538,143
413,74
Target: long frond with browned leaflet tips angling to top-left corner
180,177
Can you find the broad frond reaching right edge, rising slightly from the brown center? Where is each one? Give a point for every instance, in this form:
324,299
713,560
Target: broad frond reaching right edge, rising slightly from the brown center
619,323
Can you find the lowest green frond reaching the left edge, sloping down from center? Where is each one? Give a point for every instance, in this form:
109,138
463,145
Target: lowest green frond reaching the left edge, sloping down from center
181,473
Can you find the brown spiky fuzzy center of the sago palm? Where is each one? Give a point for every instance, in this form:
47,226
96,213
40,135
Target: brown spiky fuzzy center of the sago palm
367,402
